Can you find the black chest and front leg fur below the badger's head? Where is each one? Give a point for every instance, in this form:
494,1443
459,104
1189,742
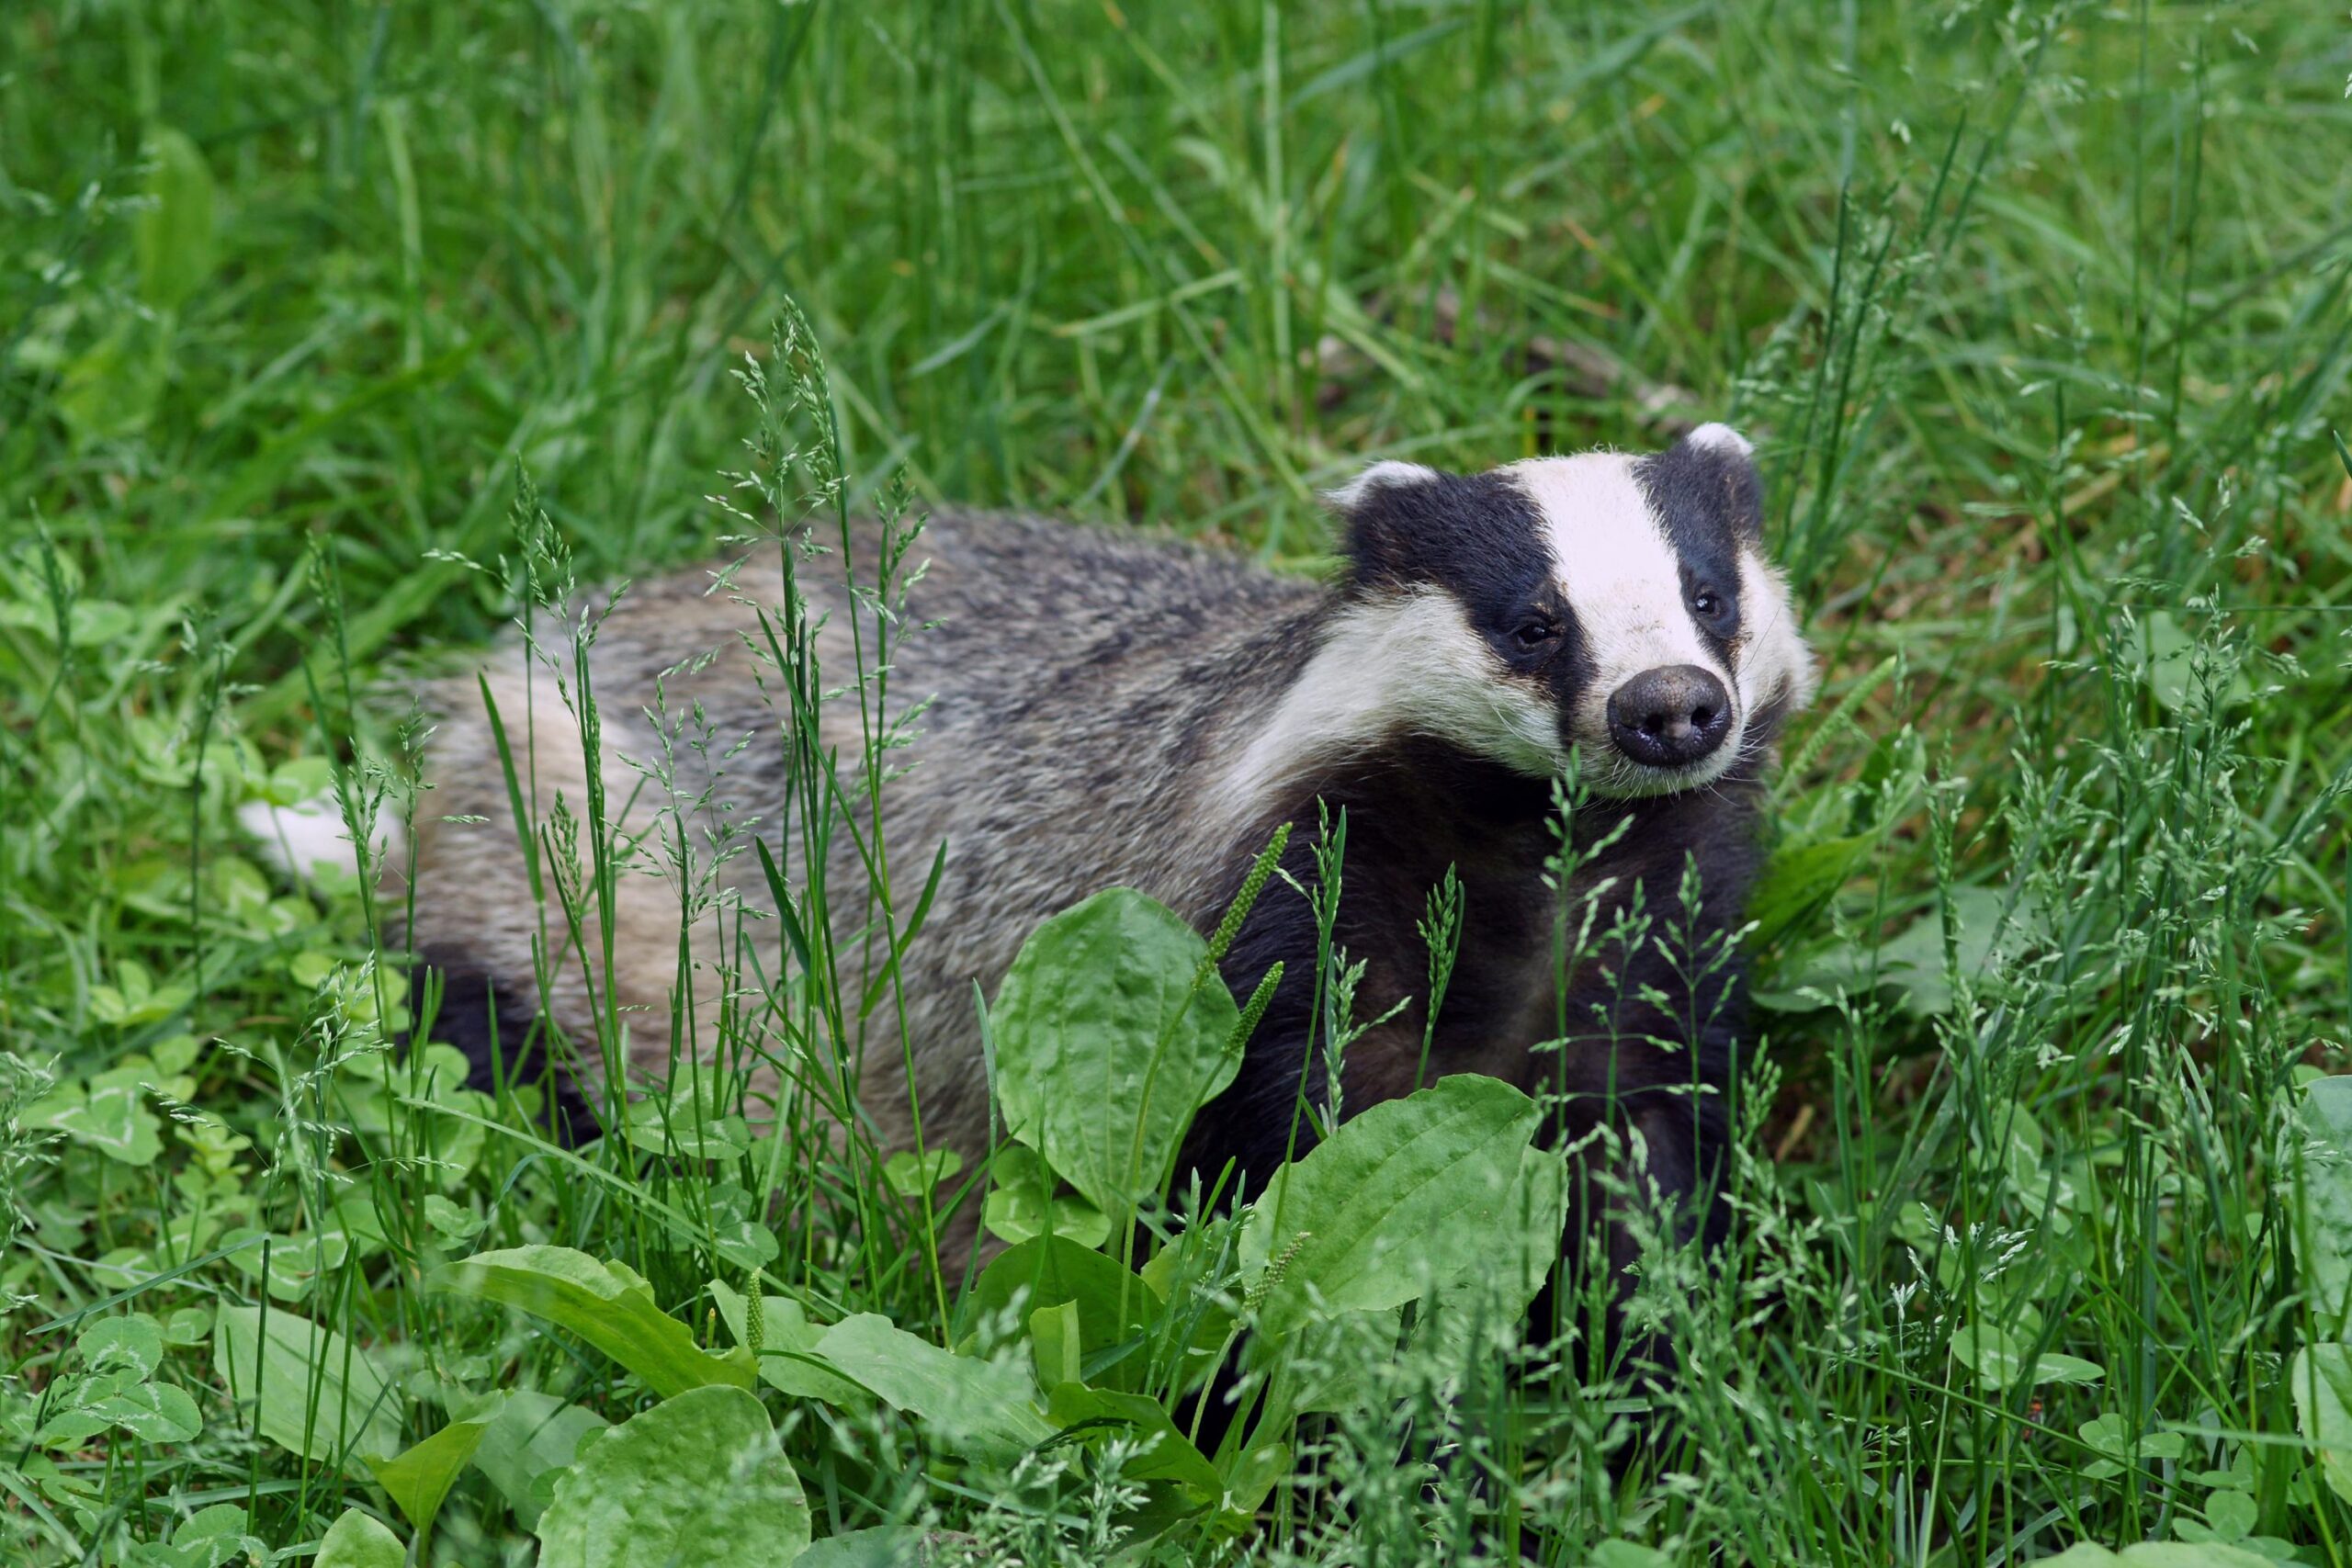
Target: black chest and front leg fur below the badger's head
1424,808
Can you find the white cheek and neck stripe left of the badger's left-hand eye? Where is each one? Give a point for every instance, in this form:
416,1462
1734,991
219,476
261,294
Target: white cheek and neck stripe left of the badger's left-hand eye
1405,664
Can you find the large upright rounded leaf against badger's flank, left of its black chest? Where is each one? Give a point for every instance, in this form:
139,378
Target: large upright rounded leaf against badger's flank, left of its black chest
1107,1050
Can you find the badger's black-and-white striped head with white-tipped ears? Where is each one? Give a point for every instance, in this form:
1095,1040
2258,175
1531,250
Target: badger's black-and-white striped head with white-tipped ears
1615,605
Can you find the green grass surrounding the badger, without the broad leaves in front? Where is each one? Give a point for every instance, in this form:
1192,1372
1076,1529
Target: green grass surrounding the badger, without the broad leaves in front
2038,314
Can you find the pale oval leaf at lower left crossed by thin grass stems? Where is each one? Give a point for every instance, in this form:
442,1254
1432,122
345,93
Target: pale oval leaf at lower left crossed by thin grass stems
312,1388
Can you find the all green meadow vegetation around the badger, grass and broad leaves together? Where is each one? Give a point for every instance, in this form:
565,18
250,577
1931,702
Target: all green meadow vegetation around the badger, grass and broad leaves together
340,337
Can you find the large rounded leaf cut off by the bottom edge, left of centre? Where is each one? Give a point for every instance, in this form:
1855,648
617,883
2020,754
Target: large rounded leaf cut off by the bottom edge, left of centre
697,1482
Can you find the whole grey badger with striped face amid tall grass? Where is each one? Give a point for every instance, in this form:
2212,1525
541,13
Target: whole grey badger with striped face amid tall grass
1114,711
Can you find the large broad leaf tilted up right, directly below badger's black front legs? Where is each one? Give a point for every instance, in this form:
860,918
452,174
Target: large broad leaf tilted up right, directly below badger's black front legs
1408,1195
